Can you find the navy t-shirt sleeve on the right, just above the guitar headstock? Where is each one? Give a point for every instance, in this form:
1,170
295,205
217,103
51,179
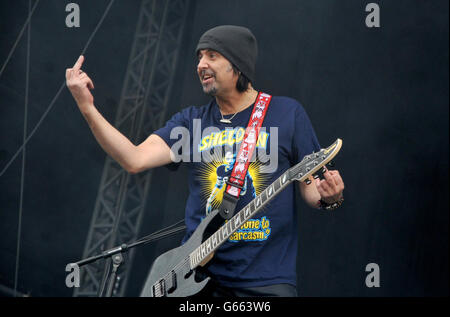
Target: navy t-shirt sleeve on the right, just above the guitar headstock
305,140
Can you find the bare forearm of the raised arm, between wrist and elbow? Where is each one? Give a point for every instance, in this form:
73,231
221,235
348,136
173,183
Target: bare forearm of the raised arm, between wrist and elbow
119,147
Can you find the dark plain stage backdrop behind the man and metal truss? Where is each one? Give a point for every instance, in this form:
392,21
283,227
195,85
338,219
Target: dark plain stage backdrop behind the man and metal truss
384,91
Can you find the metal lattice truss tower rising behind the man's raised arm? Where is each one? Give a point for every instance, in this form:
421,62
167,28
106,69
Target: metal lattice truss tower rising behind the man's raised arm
121,198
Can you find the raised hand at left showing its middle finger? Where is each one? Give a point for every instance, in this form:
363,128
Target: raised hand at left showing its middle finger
79,85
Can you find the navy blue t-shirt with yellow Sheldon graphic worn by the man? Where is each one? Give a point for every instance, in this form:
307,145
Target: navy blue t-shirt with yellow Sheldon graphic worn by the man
263,251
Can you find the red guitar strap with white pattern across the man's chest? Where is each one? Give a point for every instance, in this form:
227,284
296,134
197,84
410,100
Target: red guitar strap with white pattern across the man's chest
237,179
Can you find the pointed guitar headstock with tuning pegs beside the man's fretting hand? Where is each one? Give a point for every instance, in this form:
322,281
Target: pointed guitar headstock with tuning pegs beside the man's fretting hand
314,162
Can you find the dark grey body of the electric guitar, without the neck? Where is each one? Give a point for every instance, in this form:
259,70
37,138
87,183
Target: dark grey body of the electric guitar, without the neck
170,274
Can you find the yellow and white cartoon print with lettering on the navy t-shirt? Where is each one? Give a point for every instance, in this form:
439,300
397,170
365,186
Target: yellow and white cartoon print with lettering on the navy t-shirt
214,174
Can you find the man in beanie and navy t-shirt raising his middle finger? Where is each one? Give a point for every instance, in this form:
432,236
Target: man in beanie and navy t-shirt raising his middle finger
261,258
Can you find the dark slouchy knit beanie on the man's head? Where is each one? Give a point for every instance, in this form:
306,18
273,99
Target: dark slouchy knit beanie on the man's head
235,43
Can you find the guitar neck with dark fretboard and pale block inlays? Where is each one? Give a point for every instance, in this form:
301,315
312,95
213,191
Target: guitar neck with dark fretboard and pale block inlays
233,224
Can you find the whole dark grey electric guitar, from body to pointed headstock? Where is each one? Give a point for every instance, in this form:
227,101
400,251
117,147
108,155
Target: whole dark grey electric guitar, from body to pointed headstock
173,273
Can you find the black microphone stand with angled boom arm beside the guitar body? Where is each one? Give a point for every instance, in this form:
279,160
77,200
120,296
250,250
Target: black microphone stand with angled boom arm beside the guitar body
115,255
